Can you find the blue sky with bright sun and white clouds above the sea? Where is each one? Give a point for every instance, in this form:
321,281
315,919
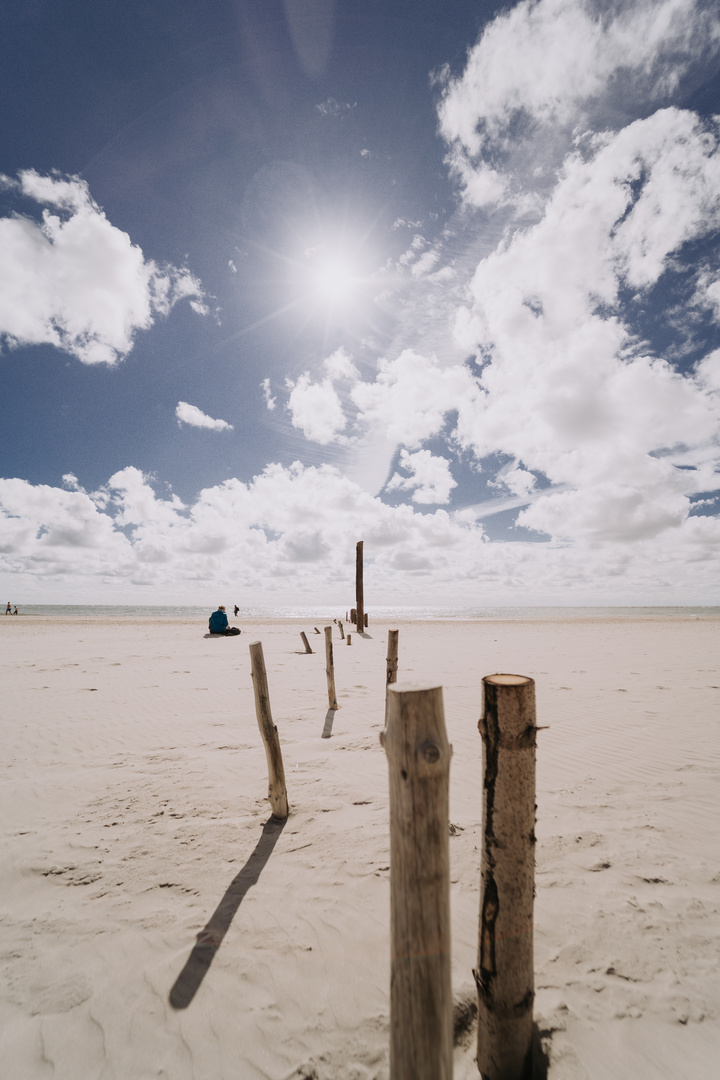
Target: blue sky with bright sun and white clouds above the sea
279,276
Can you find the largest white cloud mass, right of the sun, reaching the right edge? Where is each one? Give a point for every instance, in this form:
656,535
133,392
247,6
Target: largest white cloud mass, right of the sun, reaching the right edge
563,393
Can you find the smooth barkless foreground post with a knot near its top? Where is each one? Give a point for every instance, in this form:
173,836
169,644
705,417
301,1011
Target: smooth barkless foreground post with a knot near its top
420,988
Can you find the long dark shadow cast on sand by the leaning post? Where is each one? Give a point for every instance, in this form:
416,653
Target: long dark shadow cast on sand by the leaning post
210,939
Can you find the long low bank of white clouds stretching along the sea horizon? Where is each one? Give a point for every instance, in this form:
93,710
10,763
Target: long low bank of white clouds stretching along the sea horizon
291,533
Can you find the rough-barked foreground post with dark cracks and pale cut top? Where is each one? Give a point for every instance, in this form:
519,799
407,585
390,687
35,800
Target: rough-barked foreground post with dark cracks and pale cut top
505,976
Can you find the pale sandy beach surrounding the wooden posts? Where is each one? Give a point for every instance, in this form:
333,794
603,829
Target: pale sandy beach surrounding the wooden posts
133,814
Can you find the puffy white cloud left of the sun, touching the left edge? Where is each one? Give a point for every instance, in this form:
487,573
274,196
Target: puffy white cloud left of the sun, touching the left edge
76,281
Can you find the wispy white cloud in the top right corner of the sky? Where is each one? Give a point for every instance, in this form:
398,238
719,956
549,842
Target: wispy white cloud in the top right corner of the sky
546,71
